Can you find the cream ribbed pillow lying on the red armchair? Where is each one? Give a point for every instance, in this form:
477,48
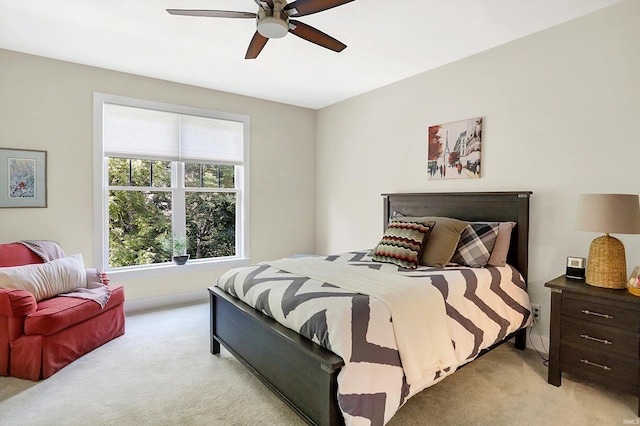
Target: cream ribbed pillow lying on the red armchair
46,280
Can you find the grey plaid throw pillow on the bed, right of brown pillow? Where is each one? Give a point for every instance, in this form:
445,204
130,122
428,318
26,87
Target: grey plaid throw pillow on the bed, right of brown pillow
476,243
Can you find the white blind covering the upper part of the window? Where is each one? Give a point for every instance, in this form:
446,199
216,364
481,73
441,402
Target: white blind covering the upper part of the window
150,134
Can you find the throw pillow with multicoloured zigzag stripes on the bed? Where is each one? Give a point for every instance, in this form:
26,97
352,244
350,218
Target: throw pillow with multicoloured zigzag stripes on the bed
402,243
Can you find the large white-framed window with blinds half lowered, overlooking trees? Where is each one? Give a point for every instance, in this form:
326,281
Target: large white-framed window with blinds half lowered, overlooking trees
165,172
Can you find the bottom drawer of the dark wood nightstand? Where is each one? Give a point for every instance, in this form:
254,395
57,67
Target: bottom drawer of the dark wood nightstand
600,363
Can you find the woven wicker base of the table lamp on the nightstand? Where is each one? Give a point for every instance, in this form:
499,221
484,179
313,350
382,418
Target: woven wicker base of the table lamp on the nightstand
607,264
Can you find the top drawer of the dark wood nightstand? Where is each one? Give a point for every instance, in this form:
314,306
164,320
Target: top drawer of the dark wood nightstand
612,316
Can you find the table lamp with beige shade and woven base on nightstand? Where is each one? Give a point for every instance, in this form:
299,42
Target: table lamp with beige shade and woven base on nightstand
608,213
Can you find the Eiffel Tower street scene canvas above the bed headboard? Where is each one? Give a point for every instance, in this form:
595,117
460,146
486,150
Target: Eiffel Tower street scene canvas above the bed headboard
454,150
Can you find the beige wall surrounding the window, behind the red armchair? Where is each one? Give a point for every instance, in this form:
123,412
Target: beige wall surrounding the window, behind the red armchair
47,105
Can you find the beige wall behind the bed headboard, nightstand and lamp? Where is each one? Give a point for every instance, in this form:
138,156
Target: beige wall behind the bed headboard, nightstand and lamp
561,115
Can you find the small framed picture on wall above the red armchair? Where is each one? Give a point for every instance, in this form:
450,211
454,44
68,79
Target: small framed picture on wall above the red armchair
23,178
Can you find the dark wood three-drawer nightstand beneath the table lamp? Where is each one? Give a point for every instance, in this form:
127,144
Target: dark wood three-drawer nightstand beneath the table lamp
595,334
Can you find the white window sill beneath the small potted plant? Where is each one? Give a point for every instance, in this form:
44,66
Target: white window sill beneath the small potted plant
194,265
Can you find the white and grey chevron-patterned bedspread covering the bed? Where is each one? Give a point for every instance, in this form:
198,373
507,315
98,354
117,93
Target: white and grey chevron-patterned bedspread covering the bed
482,306
